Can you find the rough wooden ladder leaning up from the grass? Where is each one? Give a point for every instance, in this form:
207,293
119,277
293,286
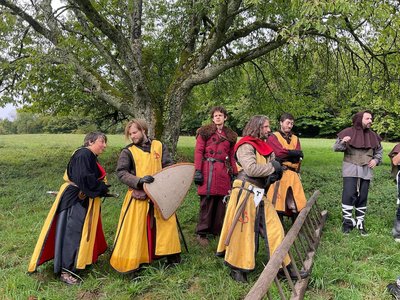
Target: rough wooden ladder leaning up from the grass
300,243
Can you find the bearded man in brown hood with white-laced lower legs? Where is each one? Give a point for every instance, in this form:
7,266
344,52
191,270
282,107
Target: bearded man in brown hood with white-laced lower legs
362,152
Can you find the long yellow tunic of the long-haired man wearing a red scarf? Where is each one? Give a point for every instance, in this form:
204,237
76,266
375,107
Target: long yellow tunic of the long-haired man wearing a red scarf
241,251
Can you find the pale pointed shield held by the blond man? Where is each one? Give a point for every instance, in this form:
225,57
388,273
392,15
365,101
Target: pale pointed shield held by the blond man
170,187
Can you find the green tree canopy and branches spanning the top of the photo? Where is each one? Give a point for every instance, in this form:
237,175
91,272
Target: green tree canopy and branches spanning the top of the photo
135,58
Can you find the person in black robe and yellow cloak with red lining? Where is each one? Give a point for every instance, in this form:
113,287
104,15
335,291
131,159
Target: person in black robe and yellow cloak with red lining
72,234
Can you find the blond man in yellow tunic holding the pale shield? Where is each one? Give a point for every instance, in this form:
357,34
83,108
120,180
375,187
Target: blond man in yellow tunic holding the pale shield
142,234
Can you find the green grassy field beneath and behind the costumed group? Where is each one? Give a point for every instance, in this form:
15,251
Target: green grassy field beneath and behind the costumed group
346,267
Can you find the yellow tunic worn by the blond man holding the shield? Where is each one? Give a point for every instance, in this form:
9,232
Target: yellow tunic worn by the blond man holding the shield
131,245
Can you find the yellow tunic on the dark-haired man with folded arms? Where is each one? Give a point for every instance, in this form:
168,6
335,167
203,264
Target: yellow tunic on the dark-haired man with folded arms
290,180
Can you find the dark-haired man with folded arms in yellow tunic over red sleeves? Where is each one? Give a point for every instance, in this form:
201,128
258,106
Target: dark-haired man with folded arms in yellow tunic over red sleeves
287,195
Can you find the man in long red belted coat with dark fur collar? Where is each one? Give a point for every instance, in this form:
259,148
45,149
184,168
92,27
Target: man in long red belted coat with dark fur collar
215,166
